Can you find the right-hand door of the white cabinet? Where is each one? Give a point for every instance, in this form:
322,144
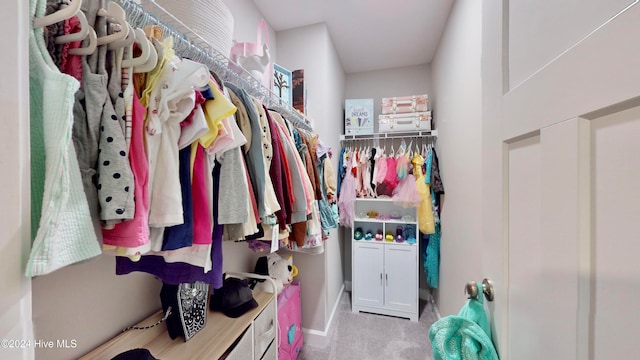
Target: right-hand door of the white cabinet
401,277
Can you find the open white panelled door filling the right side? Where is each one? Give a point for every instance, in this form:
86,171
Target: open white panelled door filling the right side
565,260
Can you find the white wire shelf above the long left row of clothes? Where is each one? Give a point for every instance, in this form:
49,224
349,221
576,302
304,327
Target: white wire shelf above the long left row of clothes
190,45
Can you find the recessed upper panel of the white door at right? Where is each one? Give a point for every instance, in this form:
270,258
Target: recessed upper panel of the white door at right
539,31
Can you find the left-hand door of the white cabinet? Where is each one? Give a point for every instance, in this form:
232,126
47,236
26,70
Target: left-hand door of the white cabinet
368,262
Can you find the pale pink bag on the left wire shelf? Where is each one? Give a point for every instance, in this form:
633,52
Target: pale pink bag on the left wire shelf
254,58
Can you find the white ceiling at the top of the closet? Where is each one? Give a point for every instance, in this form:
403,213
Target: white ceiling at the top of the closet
368,34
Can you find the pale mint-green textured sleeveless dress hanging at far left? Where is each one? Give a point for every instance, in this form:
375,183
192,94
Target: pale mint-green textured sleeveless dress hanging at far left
61,221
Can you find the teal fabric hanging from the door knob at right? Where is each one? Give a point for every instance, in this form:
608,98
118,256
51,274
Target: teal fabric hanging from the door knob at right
466,336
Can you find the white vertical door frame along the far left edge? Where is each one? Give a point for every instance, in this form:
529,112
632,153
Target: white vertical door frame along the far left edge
15,301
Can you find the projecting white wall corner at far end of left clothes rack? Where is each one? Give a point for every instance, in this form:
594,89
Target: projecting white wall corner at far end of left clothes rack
310,48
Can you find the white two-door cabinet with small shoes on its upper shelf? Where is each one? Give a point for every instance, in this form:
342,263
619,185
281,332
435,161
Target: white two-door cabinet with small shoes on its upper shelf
385,273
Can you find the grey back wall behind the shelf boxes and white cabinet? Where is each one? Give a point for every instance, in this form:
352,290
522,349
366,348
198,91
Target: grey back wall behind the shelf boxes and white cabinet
409,80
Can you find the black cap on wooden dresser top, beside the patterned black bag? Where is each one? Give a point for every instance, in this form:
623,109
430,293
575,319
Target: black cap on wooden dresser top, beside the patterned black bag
234,298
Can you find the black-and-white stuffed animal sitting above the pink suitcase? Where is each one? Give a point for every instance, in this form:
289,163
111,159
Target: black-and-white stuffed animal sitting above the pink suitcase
280,270
